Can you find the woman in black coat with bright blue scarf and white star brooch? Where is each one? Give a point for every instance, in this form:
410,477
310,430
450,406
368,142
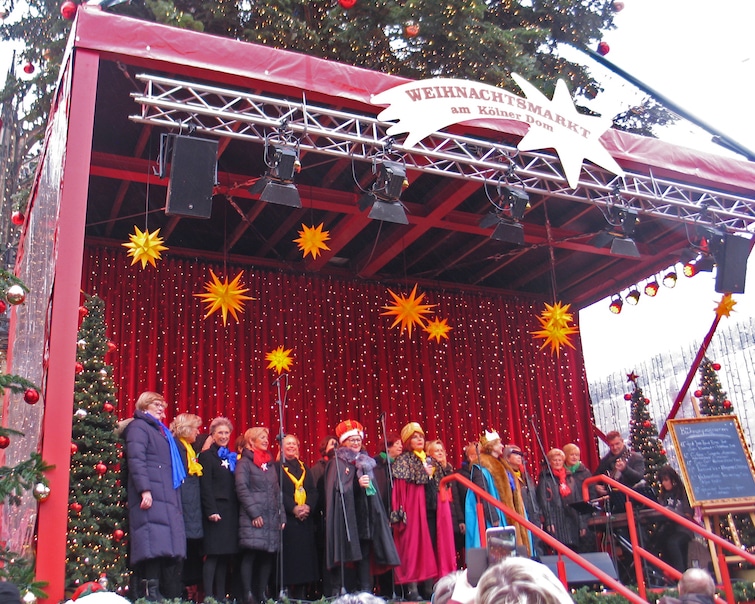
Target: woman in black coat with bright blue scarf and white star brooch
220,510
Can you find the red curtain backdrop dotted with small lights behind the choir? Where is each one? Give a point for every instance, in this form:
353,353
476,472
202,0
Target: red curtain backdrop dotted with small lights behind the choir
348,361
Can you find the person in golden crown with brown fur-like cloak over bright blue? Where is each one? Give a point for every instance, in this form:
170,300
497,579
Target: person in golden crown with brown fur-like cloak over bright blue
493,473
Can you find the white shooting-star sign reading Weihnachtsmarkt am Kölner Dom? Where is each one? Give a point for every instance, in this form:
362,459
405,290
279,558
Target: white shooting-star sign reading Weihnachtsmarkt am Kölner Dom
427,106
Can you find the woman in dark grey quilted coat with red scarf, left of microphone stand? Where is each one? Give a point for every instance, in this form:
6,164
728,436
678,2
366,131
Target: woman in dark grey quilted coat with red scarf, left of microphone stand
261,516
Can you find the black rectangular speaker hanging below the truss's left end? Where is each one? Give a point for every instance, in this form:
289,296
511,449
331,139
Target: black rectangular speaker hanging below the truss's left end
192,176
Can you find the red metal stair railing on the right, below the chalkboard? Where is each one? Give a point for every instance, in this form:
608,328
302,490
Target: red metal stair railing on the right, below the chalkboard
639,553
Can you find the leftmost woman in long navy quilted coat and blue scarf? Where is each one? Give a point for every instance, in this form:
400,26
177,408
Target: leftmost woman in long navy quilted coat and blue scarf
156,527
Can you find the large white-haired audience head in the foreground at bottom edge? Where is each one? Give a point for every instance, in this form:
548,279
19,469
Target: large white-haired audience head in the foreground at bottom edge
519,580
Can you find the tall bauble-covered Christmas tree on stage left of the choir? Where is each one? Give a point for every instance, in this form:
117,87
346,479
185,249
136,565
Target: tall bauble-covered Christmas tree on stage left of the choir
96,511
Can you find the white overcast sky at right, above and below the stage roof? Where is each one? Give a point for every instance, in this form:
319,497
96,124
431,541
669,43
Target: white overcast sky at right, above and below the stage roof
701,58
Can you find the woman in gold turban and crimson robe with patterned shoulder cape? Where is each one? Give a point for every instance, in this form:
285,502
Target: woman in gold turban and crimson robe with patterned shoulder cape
426,548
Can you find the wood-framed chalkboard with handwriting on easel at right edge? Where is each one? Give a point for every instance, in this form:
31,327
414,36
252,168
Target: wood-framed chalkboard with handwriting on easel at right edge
716,465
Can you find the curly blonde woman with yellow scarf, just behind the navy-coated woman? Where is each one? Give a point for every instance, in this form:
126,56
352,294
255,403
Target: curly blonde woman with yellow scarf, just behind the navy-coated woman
185,429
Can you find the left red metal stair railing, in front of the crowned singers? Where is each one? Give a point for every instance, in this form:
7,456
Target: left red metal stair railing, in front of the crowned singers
560,548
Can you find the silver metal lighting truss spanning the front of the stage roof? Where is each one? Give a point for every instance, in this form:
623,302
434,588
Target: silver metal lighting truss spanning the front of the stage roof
230,113
